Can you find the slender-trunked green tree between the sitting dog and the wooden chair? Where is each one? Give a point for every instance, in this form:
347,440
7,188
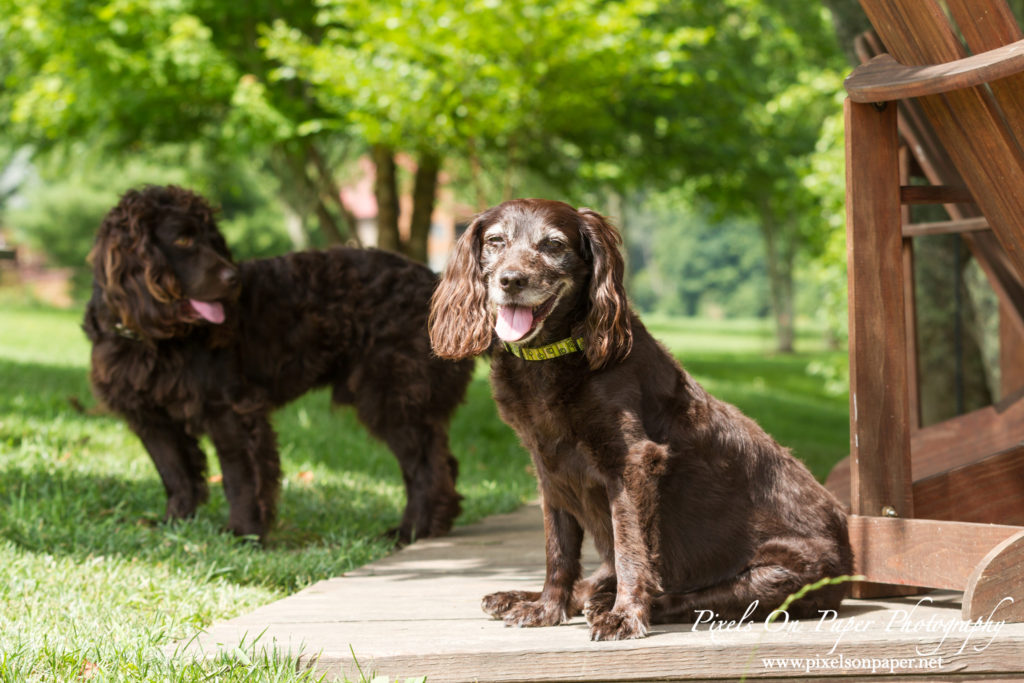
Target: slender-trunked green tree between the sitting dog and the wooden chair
779,72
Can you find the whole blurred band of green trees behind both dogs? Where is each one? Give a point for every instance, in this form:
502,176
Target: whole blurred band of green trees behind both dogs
708,132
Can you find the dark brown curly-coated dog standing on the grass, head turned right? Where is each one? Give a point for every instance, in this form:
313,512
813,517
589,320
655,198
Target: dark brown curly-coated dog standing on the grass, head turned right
187,343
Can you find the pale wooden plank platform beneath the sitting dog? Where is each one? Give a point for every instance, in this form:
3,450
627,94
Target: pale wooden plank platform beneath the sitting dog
417,613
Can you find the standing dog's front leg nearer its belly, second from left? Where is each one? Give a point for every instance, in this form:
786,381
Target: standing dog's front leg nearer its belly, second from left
251,466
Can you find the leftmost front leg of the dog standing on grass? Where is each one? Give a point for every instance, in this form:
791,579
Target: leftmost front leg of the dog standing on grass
180,461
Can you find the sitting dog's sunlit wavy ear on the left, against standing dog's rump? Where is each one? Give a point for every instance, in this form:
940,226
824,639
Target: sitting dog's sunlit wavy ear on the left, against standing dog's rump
460,323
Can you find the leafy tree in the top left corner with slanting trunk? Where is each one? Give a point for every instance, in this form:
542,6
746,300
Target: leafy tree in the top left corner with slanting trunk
130,76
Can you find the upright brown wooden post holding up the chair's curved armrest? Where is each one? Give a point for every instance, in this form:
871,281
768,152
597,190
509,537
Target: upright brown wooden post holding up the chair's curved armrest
880,419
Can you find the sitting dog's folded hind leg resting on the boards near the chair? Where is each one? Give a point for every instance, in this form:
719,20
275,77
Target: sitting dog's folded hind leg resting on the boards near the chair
780,569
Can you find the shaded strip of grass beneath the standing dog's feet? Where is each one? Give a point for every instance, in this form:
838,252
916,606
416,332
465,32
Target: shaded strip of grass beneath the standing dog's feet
80,516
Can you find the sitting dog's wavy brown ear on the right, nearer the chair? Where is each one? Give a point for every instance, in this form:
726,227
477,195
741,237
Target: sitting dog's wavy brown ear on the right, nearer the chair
608,332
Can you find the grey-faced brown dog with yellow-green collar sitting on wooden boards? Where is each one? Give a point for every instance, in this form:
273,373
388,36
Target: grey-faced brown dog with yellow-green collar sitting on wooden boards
691,504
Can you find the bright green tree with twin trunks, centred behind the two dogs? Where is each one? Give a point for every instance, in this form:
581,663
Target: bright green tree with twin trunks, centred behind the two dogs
530,84
